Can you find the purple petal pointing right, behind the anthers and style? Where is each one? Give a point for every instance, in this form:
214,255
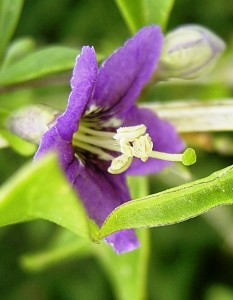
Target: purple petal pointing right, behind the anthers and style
164,137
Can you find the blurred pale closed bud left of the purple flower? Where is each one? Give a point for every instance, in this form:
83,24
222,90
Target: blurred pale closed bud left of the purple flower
31,122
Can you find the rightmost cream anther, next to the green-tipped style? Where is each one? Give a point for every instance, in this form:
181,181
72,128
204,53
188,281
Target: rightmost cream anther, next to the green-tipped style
142,147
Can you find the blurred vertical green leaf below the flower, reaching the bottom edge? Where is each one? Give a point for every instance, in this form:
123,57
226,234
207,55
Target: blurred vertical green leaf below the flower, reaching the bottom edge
127,272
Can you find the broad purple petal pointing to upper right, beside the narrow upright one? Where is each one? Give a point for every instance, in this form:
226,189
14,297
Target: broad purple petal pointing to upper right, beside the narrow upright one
123,75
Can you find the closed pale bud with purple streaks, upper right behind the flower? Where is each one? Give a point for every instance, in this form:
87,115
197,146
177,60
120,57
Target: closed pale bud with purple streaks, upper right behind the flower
188,52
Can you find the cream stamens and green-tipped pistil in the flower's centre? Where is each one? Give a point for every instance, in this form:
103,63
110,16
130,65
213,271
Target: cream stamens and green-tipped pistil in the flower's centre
132,141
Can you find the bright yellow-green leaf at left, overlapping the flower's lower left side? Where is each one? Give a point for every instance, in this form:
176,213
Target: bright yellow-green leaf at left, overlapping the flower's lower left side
41,191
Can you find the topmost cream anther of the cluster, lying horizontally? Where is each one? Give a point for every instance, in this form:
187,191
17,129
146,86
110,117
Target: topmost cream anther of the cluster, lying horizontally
130,133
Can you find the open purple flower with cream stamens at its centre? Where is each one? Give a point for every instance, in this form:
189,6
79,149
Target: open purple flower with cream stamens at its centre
103,136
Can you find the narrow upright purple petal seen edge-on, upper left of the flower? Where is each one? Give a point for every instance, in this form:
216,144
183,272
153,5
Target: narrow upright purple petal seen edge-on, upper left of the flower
82,84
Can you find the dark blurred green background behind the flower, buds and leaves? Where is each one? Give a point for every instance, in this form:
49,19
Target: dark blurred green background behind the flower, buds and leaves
188,261
